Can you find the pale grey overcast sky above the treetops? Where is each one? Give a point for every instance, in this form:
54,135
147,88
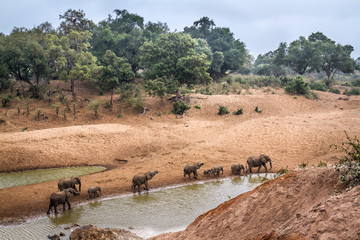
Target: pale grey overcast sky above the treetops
260,24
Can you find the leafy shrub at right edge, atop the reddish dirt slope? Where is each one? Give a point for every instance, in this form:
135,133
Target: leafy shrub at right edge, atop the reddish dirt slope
349,164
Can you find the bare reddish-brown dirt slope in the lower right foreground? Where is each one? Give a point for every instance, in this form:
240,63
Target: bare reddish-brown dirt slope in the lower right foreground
300,205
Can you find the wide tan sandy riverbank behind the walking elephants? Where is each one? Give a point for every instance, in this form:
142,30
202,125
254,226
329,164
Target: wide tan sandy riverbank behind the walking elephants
292,131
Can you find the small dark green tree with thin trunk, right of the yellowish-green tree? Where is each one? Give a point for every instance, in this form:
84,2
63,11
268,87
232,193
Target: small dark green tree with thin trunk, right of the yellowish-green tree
114,72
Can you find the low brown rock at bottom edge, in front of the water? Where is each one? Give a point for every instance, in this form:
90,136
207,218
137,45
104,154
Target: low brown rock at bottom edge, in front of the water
91,232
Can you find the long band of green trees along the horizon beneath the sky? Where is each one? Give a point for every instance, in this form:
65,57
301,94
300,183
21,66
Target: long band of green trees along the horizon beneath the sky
116,50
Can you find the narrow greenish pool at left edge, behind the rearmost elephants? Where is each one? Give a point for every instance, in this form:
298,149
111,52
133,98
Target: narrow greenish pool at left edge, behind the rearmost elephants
44,175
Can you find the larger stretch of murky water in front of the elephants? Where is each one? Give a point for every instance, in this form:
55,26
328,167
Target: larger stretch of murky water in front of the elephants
147,214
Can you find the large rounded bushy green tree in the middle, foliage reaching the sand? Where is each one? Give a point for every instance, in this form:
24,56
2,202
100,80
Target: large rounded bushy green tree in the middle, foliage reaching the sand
172,61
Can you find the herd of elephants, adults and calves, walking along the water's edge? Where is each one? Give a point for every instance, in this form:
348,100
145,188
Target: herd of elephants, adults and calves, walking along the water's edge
68,188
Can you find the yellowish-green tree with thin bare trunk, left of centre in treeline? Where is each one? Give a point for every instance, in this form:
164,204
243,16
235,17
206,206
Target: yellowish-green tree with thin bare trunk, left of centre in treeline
70,57
